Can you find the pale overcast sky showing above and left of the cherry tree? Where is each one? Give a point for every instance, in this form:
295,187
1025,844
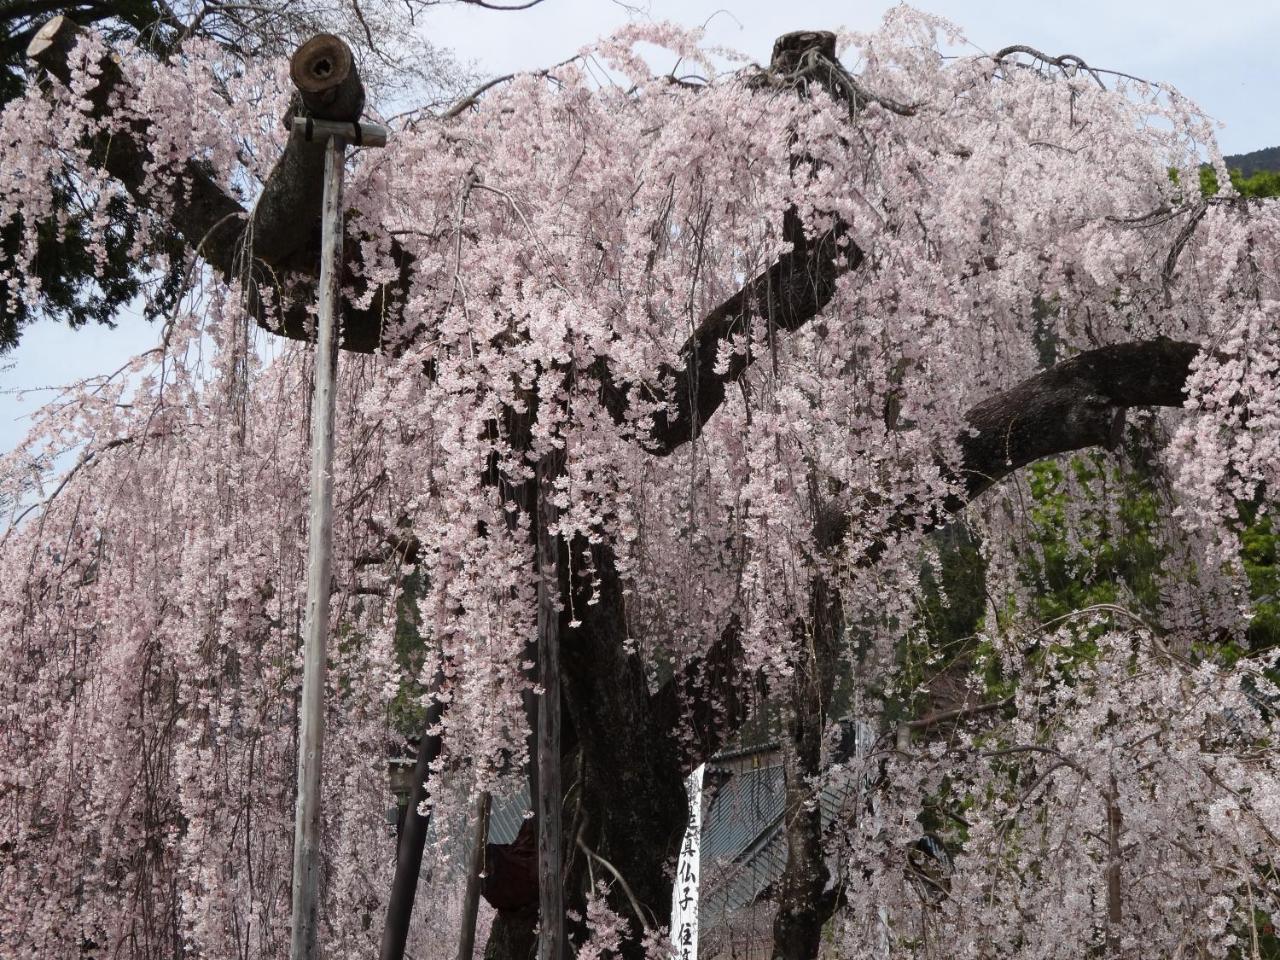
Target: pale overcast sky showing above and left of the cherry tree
1222,54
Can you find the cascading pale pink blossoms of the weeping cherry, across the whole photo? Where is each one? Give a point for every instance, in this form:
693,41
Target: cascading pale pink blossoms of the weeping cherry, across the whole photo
569,232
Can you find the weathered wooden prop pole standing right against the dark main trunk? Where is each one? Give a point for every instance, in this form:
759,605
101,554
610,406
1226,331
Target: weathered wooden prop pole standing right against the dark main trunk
551,890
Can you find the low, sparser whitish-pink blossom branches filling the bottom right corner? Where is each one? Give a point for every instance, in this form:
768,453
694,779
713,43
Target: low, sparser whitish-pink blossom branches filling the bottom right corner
1124,801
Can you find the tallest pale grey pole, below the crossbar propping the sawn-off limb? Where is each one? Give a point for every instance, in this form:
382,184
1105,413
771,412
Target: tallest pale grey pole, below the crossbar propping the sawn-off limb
307,829
